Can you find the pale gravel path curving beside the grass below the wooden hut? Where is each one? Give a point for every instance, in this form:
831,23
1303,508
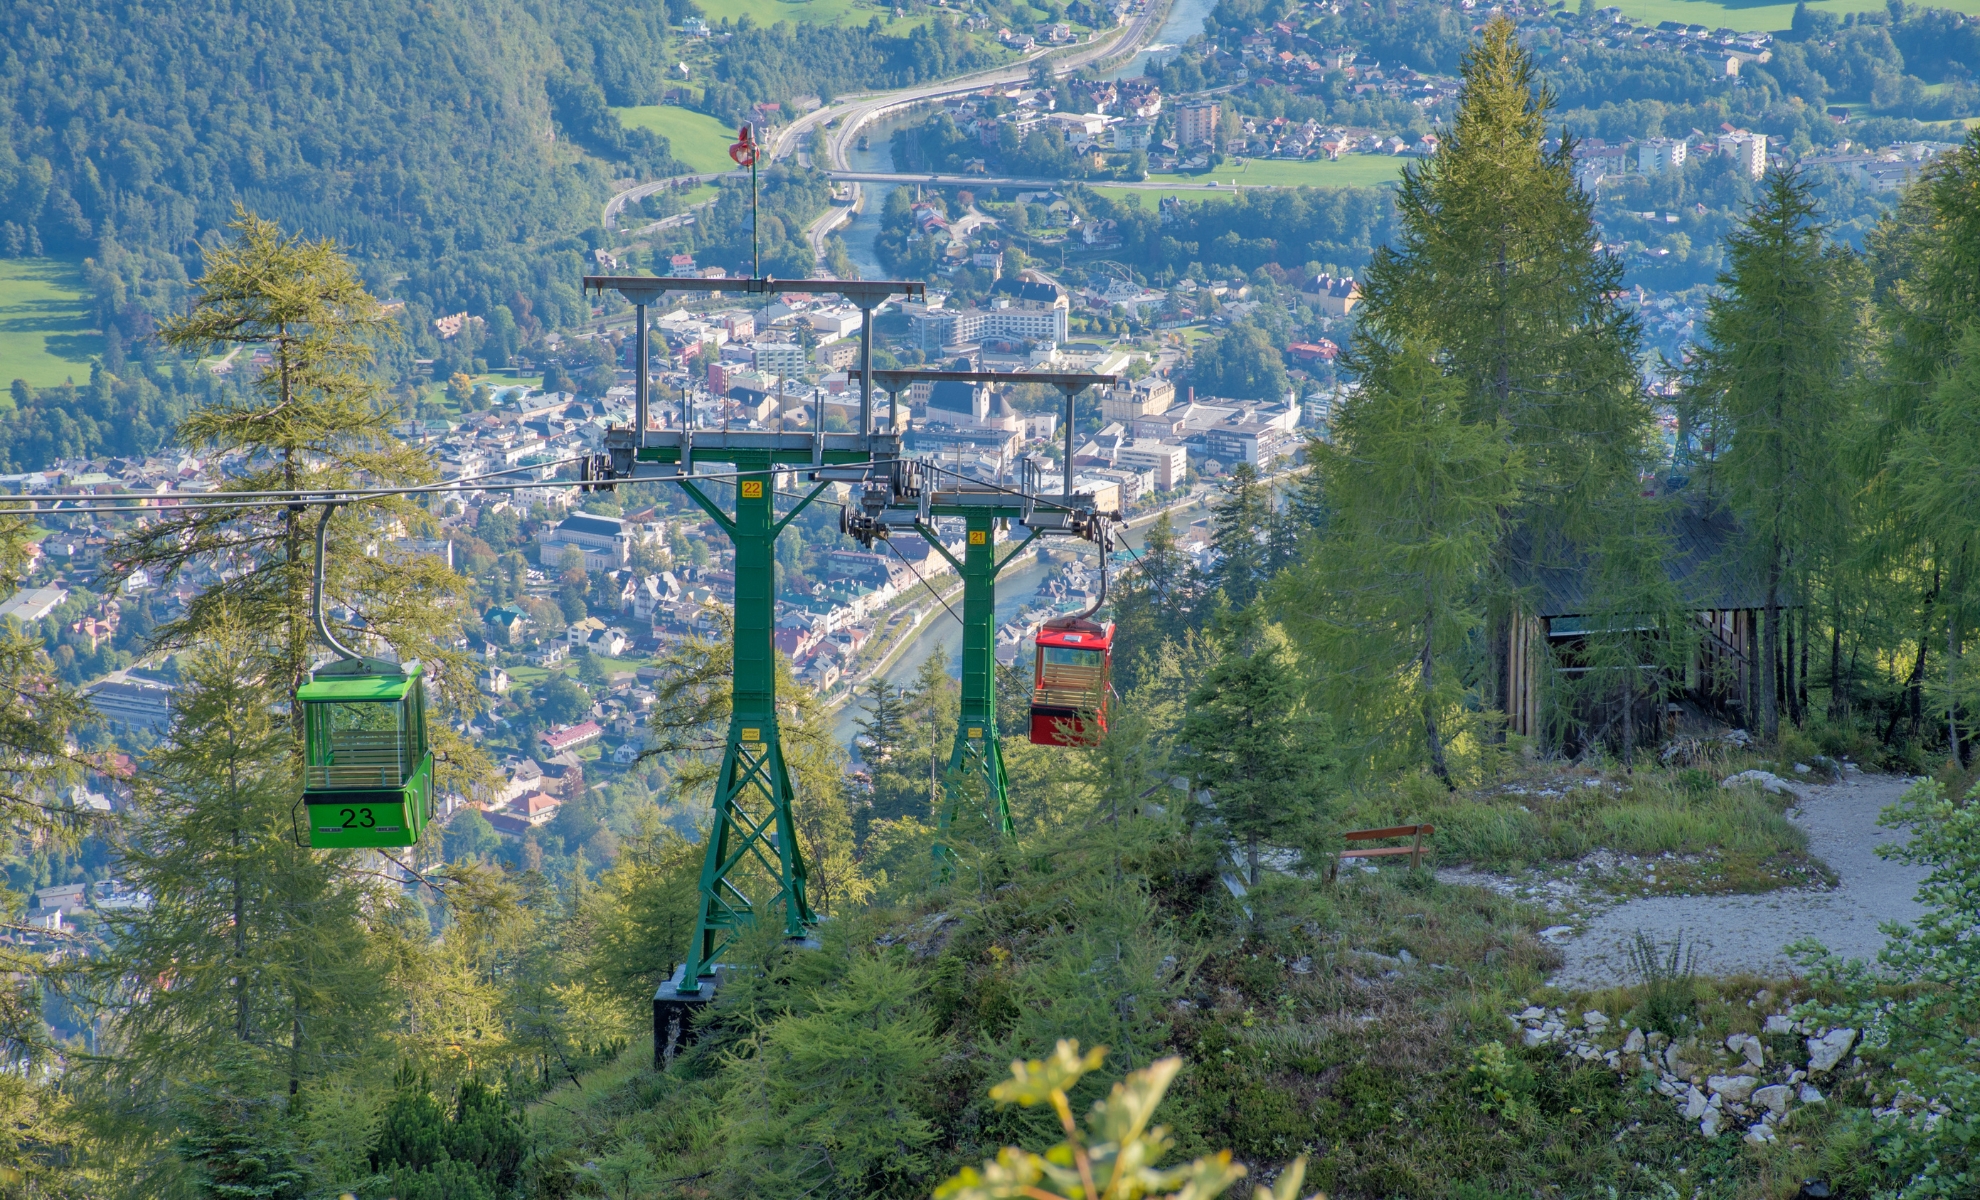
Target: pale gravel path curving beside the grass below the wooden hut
1747,932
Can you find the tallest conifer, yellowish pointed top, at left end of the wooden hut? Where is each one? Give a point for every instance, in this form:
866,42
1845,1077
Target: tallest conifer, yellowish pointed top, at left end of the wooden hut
1498,268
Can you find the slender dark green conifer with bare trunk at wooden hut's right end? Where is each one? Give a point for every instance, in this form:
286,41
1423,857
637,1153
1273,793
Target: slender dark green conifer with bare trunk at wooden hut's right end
1773,379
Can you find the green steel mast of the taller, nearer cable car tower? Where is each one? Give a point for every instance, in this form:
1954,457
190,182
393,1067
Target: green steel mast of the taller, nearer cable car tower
753,860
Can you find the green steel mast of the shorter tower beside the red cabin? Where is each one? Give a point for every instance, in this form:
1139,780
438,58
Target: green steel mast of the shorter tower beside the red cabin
977,751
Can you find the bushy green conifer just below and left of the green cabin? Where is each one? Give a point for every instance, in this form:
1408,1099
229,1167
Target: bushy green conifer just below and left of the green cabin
274,953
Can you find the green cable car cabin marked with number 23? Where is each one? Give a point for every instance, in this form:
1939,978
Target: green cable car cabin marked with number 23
369,773
